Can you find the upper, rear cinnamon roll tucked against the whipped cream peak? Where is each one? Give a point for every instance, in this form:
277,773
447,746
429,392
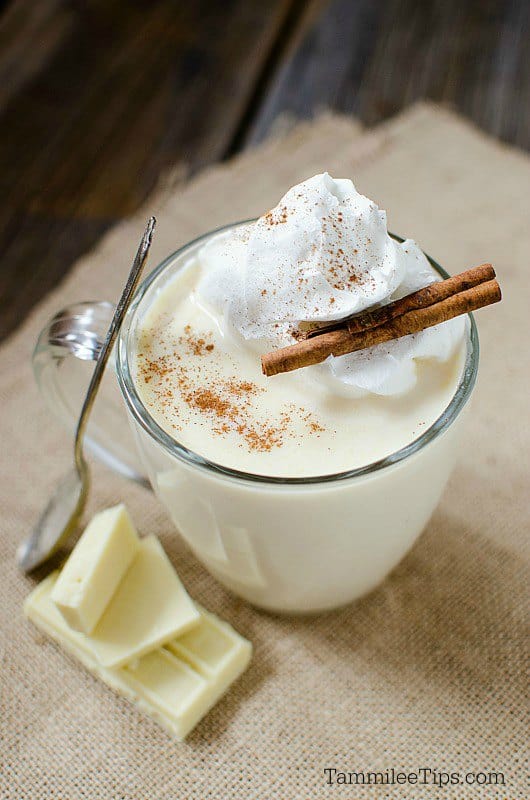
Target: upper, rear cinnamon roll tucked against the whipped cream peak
434,293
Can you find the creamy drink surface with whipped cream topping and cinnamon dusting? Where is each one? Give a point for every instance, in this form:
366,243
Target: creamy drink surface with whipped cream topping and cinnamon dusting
322,254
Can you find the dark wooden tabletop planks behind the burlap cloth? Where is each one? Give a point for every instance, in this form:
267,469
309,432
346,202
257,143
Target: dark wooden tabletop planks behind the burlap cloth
99,97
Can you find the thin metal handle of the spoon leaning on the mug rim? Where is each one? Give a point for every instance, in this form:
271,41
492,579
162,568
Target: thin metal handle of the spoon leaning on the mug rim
121,309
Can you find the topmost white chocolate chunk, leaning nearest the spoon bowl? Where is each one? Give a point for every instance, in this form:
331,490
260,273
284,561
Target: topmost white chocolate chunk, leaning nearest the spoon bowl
95,567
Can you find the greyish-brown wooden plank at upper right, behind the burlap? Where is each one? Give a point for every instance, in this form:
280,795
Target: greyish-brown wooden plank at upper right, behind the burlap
374,57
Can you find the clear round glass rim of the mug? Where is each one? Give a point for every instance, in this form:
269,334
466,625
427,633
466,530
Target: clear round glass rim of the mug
142,416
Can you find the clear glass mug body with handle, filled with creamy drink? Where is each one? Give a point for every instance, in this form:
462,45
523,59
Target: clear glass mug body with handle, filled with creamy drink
285,544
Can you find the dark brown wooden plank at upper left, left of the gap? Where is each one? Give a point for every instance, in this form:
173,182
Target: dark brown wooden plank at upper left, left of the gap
121,91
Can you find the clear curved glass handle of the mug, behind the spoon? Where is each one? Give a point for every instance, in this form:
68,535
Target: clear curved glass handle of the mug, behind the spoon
62,358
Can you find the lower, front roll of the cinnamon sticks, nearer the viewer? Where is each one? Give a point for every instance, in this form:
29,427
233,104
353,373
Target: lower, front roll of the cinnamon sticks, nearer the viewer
341,341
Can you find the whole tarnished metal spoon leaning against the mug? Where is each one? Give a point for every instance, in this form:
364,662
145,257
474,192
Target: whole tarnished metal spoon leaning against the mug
62,514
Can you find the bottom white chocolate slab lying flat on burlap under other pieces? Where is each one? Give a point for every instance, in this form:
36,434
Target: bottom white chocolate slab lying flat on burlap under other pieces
163,685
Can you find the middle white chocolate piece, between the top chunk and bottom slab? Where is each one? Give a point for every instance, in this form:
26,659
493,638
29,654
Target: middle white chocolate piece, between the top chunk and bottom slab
149,608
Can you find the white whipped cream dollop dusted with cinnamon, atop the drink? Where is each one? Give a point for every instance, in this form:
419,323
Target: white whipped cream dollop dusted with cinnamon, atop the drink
323,253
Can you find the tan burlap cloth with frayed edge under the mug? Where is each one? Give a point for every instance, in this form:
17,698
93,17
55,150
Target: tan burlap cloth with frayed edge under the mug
428,671
